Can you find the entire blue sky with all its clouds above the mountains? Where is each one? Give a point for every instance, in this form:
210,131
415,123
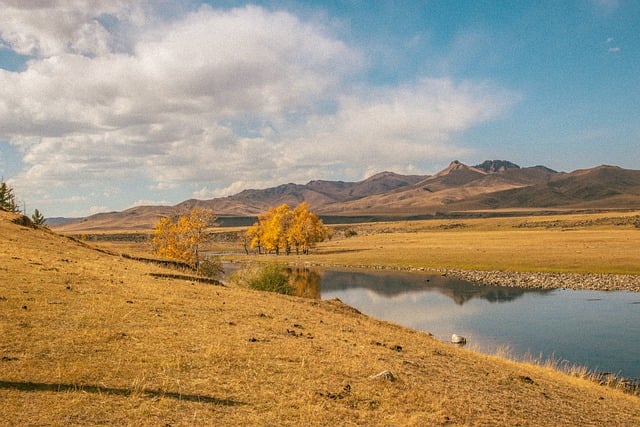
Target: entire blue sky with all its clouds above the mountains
105,105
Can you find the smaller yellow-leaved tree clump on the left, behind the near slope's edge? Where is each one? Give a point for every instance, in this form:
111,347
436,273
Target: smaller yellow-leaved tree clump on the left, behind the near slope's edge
179,238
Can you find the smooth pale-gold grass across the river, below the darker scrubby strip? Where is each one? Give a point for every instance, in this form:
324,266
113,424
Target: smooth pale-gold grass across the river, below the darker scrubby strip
593,251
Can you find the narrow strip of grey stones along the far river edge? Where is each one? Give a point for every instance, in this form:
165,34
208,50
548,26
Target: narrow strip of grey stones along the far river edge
535,280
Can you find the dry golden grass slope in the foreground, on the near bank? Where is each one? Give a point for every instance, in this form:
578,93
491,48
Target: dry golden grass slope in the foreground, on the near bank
91,338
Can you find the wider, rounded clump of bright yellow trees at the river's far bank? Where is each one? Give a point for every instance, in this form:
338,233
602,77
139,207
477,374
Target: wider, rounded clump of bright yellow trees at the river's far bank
282,229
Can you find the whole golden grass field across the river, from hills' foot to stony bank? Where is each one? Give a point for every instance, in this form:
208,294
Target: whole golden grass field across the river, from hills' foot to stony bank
585,243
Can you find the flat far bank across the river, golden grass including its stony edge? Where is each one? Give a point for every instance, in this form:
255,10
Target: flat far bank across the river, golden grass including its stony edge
585,251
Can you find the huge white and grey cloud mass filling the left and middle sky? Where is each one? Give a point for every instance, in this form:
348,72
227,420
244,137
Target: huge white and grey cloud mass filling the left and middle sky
218,100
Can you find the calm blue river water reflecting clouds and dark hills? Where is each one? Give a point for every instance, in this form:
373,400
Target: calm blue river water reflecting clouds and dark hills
598,329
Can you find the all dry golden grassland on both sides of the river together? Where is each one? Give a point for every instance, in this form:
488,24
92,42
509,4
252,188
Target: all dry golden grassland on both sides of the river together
91,337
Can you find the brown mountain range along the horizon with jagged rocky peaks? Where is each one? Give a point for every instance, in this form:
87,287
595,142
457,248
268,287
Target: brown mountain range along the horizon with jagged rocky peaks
492,187
